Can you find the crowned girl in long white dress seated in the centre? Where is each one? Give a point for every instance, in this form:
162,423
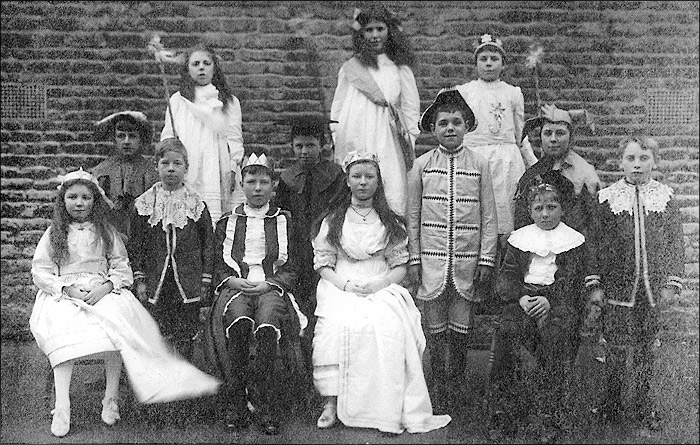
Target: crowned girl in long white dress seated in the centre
368,341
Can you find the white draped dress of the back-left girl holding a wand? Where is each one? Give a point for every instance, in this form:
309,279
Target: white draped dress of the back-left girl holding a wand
214,142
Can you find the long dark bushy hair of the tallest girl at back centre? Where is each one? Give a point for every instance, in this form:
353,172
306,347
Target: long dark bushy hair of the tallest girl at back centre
397,48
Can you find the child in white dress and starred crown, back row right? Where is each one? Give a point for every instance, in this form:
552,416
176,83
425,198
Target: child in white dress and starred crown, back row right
500,112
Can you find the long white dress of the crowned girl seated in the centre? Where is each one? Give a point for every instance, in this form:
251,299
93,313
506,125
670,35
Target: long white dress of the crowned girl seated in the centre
368,350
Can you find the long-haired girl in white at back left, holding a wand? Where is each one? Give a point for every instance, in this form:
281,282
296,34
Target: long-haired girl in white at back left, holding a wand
206,117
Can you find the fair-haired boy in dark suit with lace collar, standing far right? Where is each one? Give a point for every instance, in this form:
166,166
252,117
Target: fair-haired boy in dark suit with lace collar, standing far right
639,248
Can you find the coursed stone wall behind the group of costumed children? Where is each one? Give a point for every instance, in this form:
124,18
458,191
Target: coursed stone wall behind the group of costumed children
632,65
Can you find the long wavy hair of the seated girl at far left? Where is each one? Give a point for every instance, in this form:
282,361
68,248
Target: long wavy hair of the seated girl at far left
61,220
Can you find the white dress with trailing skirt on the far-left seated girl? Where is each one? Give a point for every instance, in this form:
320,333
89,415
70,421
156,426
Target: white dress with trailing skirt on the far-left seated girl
66,328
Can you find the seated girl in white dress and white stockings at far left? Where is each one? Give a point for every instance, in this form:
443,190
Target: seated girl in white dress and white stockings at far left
84,308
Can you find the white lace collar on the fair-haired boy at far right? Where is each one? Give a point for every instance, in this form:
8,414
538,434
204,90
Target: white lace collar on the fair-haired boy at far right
620,196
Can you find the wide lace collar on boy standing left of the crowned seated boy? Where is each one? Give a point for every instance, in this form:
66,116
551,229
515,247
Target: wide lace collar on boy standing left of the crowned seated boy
170,208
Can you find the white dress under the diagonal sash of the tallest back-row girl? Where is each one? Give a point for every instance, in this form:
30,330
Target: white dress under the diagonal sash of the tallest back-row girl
363,126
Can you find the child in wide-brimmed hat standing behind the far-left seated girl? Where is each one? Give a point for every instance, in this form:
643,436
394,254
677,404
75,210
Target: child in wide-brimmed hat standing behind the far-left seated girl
127,173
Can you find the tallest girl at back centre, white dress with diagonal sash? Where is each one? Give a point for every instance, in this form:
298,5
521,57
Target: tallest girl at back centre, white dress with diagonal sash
374,85
